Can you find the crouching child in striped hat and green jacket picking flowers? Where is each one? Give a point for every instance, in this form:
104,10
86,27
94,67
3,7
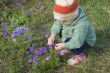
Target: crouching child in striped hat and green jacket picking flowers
77,33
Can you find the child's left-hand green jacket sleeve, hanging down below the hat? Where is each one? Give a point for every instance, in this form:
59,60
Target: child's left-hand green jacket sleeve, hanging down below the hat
56,27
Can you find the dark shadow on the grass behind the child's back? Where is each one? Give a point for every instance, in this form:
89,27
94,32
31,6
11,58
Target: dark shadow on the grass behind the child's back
103,41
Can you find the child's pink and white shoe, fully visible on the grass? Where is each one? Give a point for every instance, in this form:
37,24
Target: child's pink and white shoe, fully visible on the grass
76,59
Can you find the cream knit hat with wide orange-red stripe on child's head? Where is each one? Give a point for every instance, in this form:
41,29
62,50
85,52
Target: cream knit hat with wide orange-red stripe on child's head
65,9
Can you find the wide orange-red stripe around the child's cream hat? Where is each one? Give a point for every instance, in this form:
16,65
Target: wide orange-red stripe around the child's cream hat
65,10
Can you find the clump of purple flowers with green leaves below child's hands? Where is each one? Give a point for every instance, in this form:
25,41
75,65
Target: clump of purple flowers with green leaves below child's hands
43,59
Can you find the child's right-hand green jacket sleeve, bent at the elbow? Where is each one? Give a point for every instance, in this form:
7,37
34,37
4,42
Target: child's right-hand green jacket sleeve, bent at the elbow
79,36
